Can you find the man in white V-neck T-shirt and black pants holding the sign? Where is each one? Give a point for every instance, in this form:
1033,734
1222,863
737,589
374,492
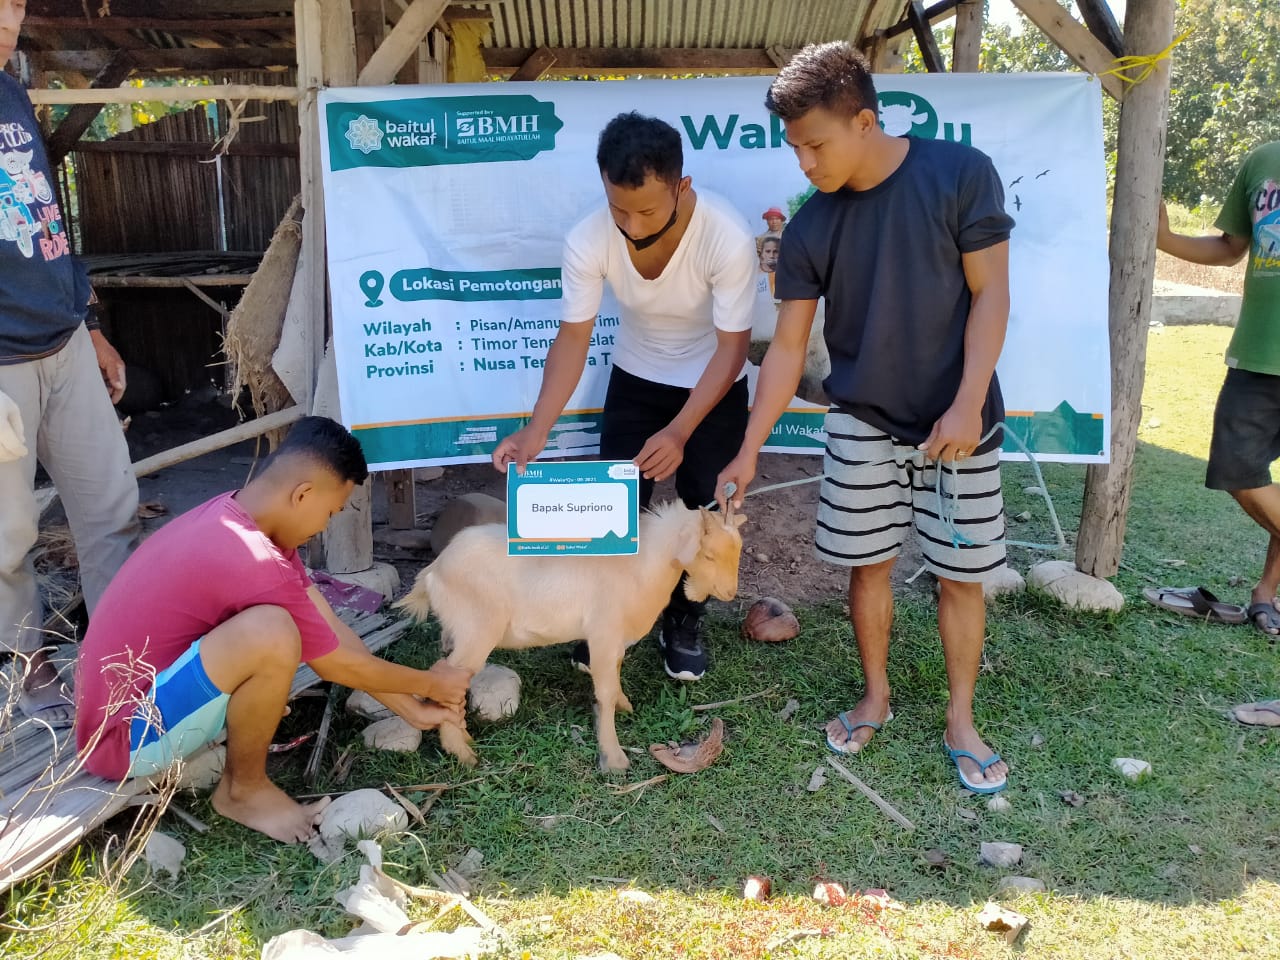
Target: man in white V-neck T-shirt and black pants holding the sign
683,267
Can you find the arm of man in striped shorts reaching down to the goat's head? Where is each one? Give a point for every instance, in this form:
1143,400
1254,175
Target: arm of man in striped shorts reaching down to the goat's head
780,377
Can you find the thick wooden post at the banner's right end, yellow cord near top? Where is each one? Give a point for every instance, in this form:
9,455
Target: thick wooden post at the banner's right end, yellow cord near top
1140,166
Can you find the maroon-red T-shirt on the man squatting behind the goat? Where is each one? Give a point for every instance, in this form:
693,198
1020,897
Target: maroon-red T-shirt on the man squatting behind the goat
195,573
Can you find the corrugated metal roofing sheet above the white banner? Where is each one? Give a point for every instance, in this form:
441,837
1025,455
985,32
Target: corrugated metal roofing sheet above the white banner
687,24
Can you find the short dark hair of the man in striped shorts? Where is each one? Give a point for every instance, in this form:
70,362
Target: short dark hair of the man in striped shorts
833,76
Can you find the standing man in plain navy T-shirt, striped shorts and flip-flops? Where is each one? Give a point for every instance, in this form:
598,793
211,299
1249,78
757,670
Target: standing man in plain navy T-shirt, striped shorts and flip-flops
908,243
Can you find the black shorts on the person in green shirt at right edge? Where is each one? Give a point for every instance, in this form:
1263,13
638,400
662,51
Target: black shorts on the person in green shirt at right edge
1246,432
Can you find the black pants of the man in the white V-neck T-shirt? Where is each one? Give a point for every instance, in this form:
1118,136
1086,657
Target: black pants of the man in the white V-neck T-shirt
637,409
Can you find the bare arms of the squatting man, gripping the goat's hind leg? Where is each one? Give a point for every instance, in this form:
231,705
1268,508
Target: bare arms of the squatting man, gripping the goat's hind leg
353,665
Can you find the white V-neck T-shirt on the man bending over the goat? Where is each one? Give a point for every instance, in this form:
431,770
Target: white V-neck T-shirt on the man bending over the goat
669,324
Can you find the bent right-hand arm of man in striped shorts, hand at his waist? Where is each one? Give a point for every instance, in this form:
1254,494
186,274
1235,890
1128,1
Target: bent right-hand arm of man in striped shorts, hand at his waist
959,431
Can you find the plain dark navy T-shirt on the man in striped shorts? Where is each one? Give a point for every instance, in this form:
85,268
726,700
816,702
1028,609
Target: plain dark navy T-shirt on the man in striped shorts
888,262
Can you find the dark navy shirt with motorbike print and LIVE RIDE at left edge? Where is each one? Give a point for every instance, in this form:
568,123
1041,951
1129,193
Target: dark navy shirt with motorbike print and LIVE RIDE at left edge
44,291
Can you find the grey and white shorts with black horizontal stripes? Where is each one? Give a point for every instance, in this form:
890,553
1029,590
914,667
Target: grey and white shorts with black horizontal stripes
875,490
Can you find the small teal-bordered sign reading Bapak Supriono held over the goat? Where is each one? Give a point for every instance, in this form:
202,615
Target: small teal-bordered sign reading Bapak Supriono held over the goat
570,509
